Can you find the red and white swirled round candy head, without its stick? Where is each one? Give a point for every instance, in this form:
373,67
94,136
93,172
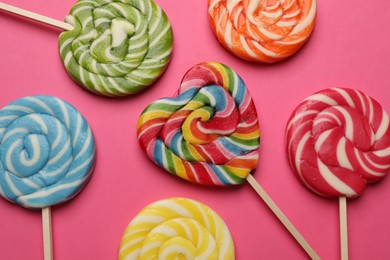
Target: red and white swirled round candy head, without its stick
337,141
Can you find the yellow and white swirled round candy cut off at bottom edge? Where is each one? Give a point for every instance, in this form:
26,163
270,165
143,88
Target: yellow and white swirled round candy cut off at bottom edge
177,228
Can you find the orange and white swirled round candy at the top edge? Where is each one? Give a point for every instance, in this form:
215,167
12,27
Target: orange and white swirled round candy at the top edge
262,31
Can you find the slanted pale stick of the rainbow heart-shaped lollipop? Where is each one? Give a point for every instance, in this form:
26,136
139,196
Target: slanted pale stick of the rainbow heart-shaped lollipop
280,215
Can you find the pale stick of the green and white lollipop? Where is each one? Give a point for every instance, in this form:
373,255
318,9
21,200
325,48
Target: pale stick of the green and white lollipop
37,17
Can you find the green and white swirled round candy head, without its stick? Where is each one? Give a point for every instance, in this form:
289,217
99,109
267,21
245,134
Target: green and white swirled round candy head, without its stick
117,48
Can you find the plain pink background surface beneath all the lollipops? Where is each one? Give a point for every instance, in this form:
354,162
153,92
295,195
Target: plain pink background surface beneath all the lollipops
349,48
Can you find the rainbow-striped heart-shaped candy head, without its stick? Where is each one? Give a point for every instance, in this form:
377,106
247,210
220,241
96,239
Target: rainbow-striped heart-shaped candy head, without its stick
208,133
